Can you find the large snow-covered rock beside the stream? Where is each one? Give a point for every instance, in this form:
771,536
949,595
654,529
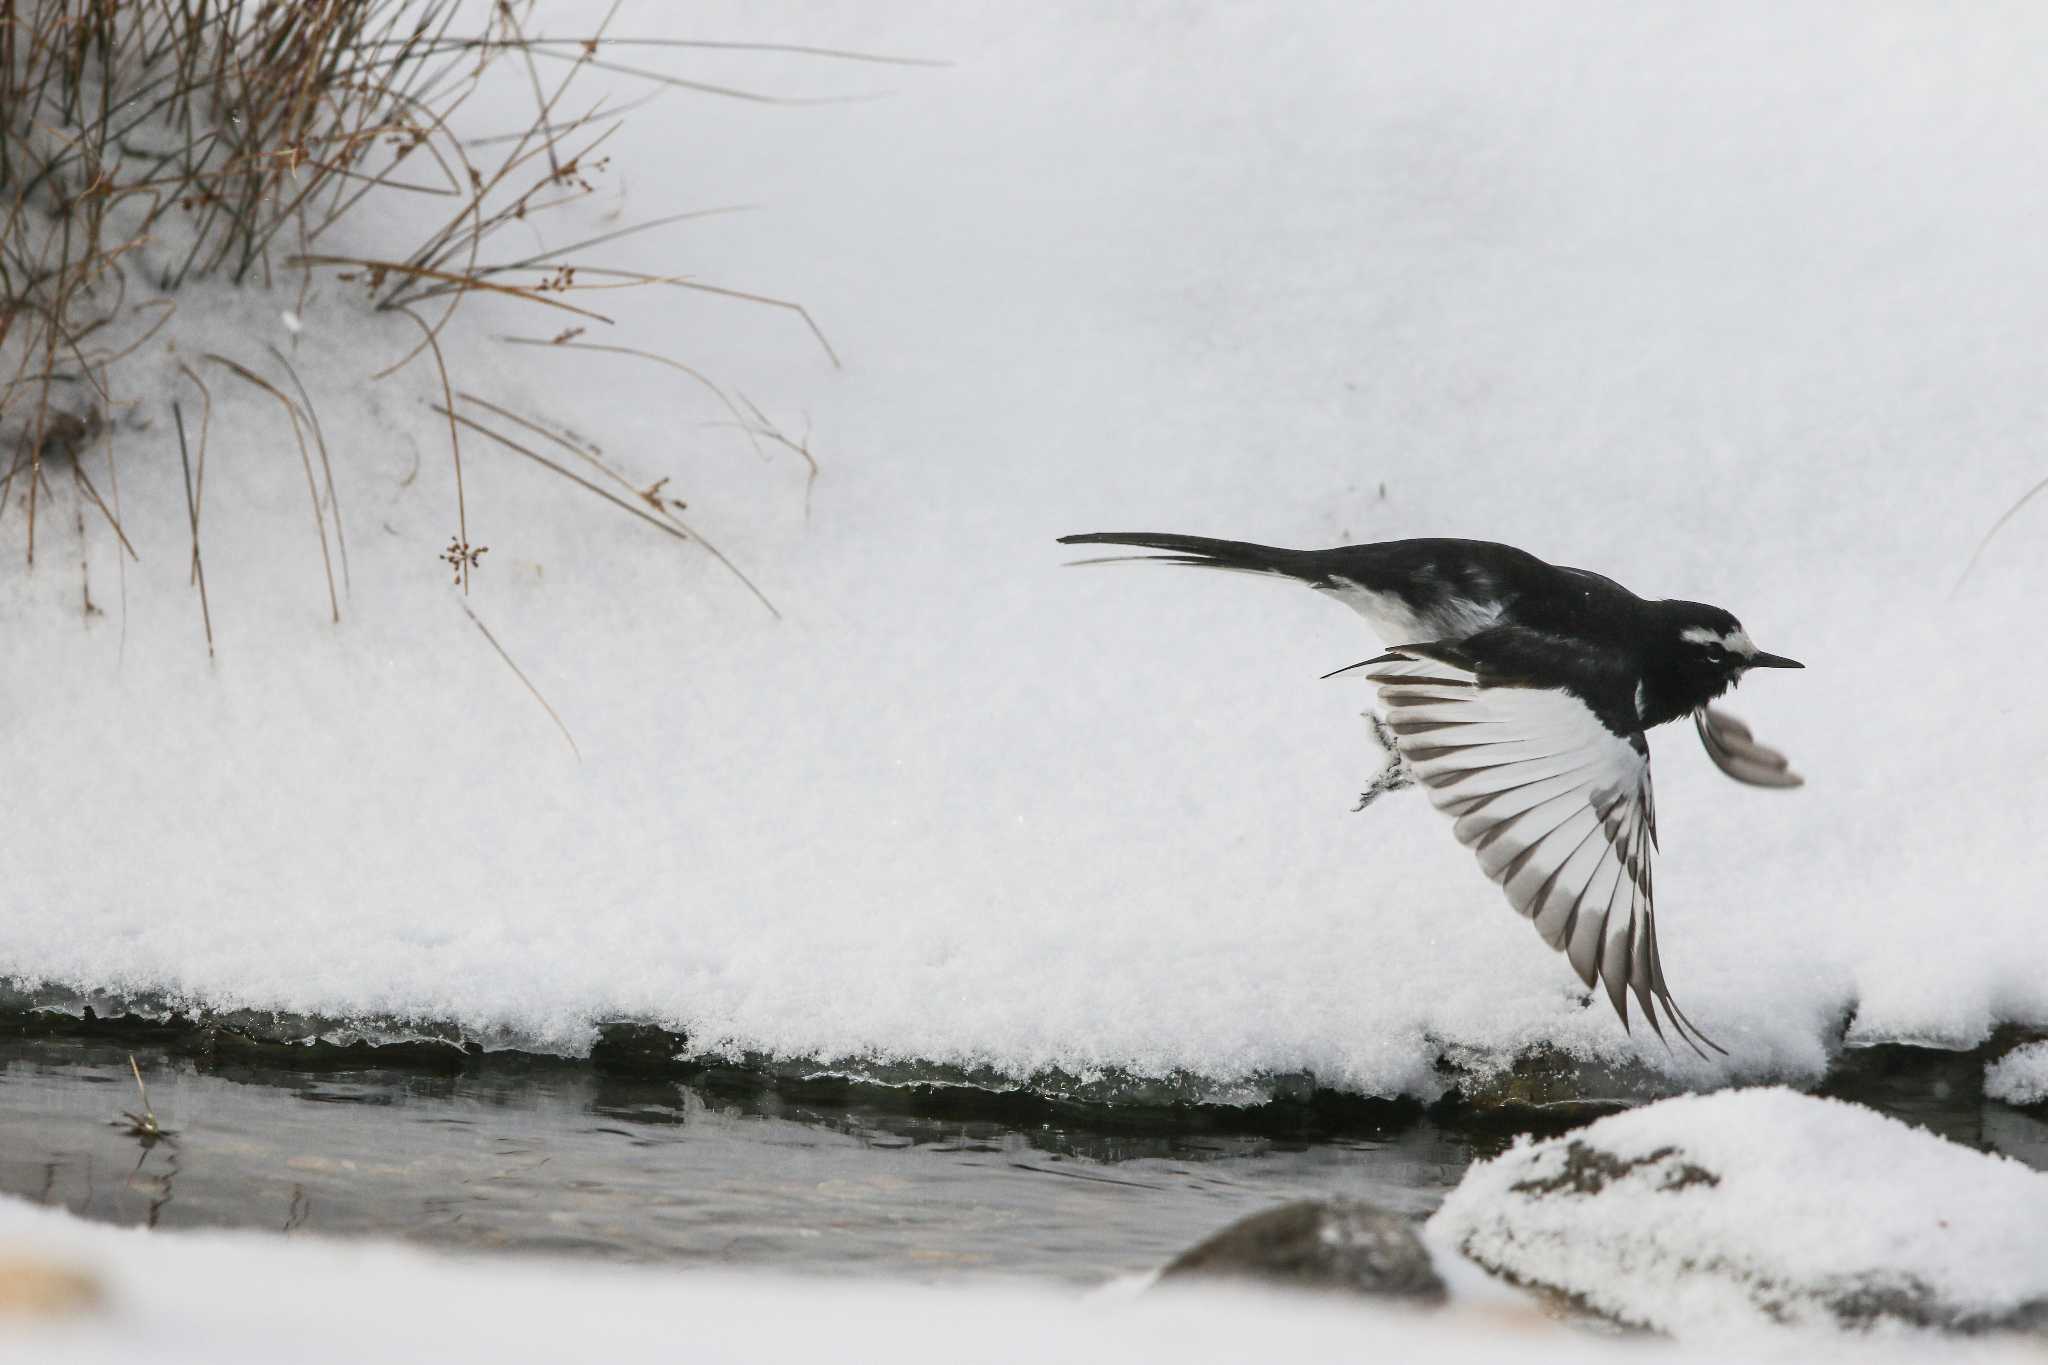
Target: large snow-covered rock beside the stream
1750,1208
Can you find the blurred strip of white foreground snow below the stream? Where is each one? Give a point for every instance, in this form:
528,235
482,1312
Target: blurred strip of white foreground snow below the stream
232,1298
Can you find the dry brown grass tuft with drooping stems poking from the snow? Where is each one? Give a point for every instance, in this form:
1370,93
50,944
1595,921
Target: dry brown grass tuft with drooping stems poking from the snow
153,144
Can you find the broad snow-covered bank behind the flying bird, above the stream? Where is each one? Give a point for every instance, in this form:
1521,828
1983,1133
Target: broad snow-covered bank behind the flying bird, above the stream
1736,304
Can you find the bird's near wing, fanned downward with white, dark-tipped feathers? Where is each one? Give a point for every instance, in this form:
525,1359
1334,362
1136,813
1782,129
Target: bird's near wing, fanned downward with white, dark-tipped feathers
1558,809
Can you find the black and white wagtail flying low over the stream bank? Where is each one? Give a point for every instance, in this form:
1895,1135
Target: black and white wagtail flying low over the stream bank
1519,695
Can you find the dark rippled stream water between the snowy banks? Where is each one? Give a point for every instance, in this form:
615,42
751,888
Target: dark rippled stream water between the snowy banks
560,1159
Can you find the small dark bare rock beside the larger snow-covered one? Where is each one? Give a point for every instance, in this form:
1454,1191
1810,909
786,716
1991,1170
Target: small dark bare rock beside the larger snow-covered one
1320,1245
